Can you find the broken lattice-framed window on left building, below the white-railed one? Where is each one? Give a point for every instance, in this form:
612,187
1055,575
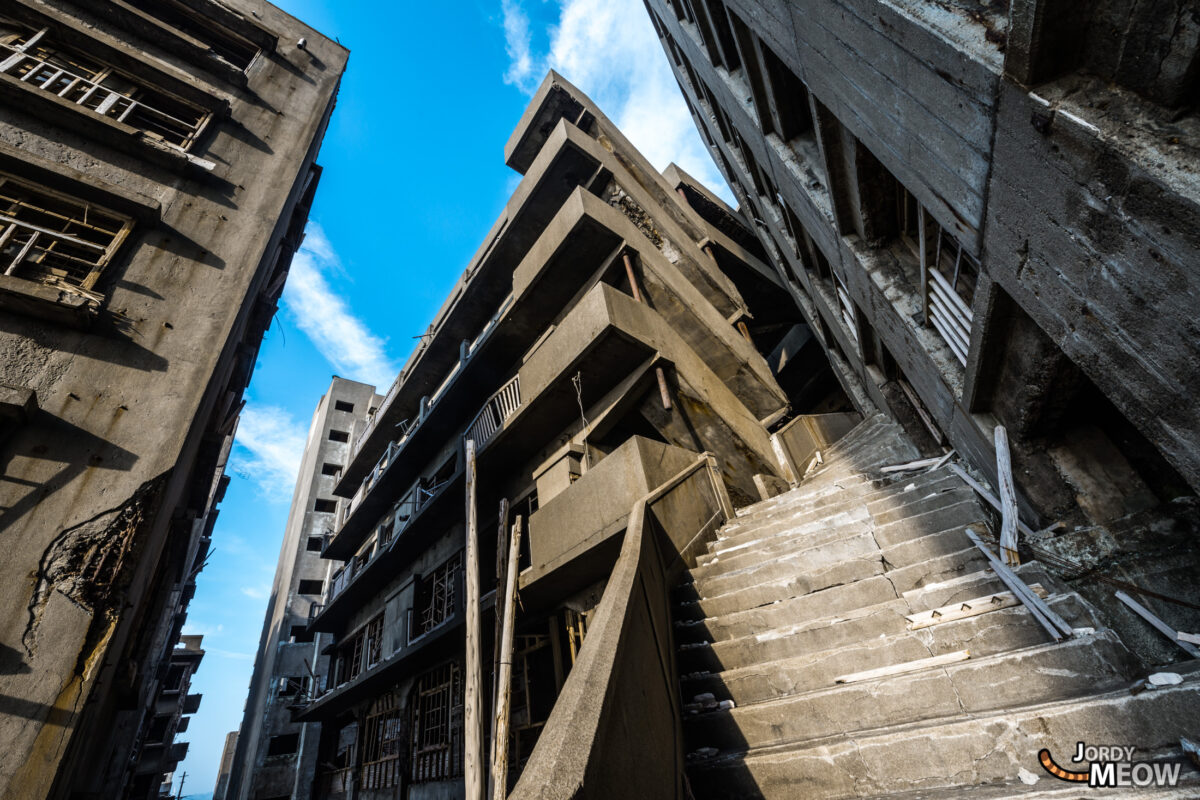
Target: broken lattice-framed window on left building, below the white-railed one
56,239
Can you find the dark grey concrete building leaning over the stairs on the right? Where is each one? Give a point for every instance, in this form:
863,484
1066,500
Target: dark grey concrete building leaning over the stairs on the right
988,215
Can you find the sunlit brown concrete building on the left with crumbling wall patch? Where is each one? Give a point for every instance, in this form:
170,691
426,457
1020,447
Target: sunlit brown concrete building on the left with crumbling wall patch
158,164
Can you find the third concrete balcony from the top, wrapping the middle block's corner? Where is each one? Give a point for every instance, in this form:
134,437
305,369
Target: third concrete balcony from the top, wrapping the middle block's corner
578,248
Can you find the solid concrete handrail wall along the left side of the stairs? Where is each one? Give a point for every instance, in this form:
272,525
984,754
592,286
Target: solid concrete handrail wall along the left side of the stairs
574,760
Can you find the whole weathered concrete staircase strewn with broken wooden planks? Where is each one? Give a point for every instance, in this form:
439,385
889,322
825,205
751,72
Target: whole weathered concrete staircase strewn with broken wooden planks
817,585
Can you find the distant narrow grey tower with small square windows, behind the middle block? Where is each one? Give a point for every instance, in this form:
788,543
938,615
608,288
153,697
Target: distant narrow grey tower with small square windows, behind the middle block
277,757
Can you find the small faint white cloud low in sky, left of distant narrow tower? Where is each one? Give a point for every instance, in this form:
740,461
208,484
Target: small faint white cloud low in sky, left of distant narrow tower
268,450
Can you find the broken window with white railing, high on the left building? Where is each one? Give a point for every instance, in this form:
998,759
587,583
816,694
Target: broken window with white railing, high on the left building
38,61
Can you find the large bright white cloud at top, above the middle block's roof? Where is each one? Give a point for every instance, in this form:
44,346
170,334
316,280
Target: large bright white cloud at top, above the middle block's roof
609,50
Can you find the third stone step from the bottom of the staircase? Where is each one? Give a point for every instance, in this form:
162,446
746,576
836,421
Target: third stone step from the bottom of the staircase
747,681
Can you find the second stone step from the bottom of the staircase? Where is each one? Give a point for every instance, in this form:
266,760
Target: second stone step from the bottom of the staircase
1033,676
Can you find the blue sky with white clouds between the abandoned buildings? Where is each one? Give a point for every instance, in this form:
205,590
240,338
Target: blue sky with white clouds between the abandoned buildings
415,178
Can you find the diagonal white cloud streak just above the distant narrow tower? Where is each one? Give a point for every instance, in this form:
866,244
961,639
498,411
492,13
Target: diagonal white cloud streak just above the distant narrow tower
326,318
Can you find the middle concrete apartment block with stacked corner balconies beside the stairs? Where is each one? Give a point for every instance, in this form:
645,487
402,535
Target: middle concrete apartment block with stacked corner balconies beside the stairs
616,332
